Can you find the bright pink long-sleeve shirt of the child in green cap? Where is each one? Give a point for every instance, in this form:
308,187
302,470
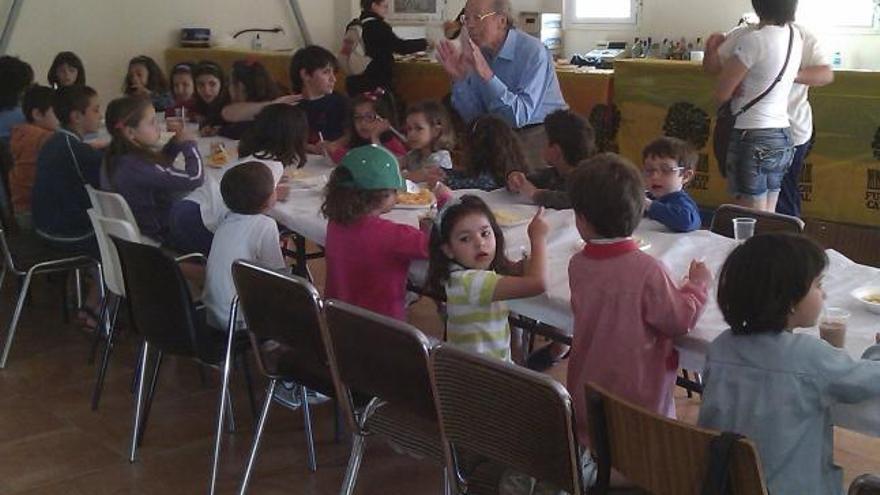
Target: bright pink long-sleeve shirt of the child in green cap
368,262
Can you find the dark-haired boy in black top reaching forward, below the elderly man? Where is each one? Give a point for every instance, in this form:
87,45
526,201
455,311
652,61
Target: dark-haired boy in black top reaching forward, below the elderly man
570,140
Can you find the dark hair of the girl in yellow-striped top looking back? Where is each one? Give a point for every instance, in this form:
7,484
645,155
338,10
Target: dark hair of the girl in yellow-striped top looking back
438,262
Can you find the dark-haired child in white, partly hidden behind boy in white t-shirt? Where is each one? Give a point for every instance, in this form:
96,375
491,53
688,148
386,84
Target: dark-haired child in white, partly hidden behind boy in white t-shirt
278,136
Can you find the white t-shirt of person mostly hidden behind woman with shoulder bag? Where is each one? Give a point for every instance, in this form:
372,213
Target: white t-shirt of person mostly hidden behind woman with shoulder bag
800,114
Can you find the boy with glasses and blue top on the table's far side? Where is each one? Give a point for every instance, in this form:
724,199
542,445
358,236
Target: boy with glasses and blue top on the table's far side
669,166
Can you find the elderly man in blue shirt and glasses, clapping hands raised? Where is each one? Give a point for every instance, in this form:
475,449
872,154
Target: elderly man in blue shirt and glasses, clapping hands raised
502,71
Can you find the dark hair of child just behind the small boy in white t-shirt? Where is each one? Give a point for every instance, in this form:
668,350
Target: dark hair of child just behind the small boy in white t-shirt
279,132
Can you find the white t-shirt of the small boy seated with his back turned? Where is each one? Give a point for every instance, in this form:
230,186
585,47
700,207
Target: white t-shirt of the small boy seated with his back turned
248,237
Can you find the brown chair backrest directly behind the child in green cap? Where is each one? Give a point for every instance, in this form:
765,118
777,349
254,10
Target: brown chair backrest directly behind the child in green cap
382,357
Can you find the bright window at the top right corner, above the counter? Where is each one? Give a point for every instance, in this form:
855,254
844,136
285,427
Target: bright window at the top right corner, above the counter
825,14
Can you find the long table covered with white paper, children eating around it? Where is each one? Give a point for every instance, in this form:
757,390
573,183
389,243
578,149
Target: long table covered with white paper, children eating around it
300,212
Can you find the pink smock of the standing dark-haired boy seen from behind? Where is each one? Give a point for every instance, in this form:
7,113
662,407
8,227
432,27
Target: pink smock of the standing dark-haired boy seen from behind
626,312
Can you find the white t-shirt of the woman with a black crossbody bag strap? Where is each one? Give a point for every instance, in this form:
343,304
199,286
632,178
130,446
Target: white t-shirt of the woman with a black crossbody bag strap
763,52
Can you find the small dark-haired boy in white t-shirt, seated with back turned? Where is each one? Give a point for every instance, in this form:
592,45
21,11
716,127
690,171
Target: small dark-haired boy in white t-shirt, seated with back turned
245,233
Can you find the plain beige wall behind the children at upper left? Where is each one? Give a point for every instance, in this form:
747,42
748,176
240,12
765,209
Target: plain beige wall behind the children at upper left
107,33
